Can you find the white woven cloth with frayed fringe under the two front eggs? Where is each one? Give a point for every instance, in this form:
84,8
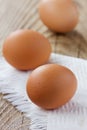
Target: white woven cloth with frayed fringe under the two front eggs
71,116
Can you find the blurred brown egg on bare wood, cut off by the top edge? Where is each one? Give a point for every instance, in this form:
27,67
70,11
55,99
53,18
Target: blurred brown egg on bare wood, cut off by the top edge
59,15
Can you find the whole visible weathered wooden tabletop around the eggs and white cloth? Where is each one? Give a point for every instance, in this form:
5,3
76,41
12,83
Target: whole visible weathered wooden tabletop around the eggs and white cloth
20,14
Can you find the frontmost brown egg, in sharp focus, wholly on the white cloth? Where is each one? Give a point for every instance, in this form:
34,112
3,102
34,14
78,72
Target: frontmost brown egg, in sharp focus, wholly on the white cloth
51,86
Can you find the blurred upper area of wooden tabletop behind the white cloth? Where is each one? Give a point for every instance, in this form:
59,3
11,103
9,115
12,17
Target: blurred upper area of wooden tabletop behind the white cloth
23,14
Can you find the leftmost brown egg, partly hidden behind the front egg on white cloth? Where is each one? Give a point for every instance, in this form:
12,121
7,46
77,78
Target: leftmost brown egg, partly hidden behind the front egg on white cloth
26,49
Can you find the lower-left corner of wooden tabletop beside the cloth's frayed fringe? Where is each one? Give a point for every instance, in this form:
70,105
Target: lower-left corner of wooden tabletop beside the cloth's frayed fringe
11,118
